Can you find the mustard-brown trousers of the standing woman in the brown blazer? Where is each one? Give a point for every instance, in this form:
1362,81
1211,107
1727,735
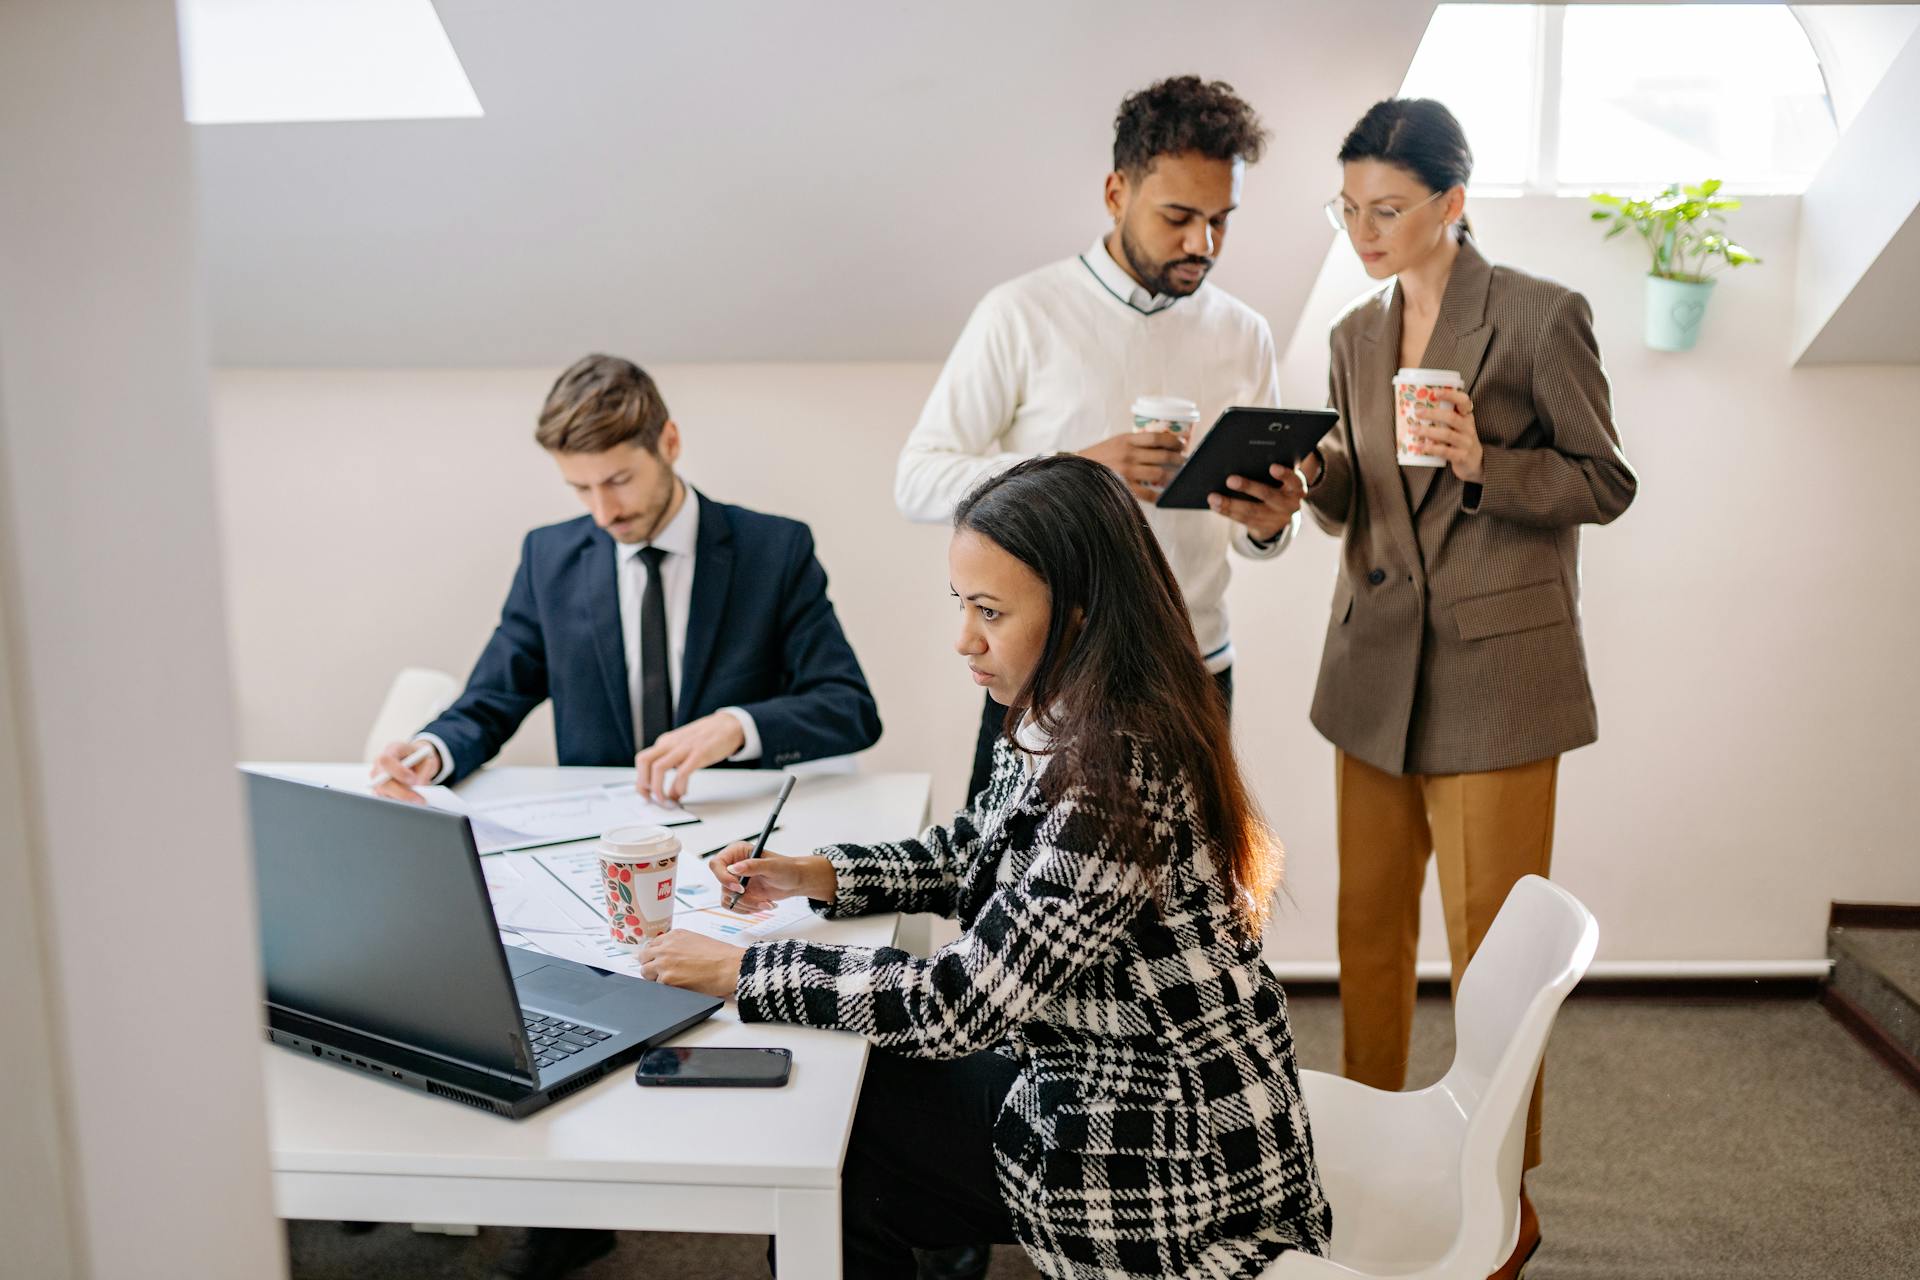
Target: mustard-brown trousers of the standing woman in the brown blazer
1485,832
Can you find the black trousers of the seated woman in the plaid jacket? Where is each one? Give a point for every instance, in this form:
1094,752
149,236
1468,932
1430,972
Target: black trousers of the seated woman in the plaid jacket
919,1172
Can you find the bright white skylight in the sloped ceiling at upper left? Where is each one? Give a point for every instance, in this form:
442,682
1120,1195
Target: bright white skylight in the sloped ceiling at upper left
258,62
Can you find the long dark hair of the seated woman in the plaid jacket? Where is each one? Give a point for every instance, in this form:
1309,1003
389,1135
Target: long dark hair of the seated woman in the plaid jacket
1120,669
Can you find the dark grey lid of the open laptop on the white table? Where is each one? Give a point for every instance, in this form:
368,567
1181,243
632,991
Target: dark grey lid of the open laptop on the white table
373,914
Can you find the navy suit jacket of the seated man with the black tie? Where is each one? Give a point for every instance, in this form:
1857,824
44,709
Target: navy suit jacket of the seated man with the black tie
761,636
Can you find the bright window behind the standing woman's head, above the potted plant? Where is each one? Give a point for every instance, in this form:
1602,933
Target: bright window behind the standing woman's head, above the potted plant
1629,95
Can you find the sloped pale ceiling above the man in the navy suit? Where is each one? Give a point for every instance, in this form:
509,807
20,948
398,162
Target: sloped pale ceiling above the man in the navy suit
756,179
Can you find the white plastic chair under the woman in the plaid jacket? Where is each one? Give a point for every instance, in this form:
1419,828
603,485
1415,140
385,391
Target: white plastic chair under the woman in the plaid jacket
1426,1185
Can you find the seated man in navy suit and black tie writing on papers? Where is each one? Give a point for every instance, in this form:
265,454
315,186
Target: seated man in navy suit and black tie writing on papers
673,632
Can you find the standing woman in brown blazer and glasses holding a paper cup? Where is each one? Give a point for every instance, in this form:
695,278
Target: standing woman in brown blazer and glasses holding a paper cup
1454,673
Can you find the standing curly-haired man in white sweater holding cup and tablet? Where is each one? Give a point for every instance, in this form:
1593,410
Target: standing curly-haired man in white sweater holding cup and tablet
1055,360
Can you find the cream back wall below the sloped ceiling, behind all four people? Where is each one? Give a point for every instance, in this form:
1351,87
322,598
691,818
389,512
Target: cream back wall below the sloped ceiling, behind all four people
1746,619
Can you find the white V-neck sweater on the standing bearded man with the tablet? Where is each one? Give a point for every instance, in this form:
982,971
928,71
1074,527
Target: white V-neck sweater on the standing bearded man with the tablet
1053,364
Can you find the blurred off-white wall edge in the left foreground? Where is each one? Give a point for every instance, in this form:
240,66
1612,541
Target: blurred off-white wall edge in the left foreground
135,1137
